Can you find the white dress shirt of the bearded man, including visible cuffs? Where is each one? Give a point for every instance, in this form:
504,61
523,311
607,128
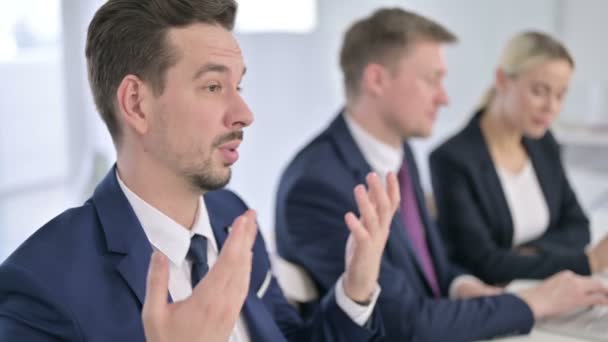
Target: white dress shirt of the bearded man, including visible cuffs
173,240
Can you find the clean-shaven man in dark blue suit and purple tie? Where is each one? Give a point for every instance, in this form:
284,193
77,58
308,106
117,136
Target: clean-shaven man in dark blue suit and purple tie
393,68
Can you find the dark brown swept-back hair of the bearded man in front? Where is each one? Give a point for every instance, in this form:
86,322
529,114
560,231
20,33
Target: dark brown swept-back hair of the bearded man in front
129,37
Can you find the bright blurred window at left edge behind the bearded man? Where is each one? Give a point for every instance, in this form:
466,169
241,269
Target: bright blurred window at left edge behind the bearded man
33,143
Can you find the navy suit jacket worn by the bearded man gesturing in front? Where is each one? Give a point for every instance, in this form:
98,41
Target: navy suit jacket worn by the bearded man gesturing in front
82,277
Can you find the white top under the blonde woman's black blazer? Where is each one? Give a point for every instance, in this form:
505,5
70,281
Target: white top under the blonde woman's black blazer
529,210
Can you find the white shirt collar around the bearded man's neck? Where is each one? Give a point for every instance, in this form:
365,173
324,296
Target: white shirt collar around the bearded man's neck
166,235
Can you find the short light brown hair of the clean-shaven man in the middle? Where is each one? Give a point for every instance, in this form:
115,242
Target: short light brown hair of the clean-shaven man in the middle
382,38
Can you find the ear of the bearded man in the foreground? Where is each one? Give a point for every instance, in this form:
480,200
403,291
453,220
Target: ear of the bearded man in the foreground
131,97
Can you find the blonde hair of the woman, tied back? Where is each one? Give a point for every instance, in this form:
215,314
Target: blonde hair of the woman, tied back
524,51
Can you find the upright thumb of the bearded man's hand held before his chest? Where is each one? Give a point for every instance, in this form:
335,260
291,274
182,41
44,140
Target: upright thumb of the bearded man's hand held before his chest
157,289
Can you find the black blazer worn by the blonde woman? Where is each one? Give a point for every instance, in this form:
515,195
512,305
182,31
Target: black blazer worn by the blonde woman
475,219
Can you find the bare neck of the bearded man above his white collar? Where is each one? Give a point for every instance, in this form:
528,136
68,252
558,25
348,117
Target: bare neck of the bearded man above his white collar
161,189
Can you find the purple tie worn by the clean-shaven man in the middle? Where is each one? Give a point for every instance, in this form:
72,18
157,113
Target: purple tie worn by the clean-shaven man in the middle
410,214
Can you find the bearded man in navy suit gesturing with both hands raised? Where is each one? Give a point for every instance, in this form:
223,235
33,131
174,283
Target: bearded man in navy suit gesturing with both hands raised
165,77
